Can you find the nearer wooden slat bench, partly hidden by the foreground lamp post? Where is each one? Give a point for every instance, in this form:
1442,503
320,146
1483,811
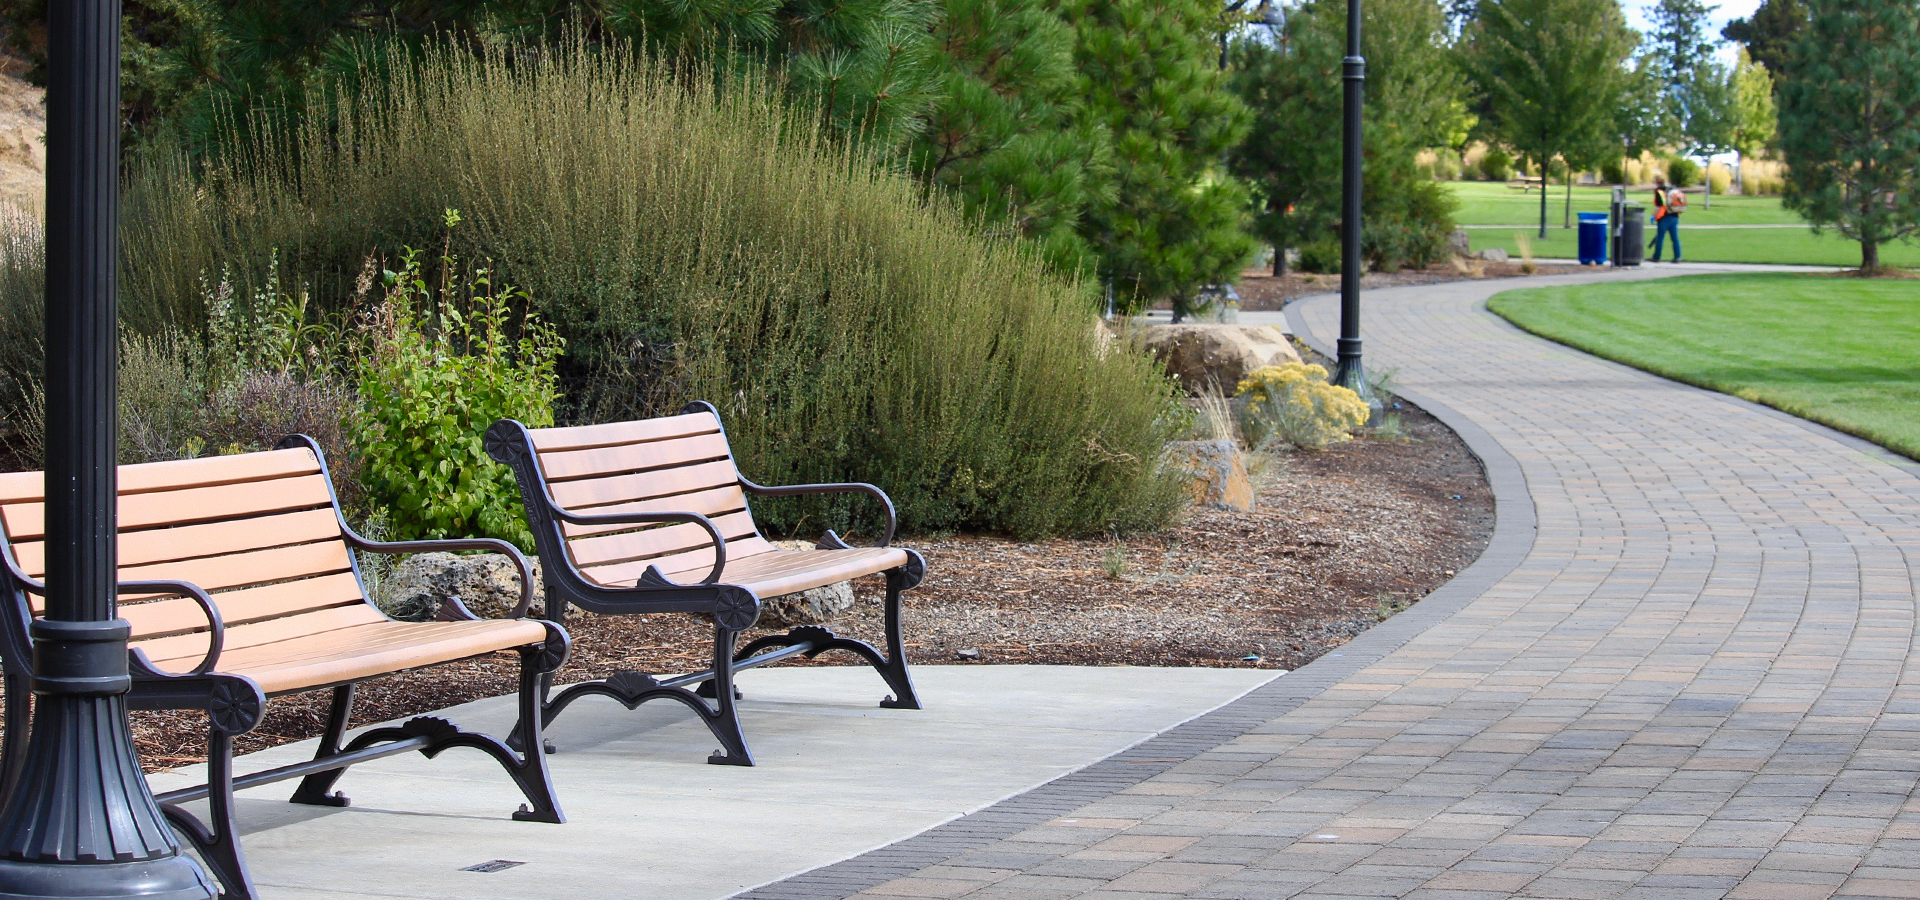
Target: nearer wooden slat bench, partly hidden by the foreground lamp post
241,584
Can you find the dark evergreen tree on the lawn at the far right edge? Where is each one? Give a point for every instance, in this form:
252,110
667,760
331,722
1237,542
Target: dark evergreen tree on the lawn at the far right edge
1850,122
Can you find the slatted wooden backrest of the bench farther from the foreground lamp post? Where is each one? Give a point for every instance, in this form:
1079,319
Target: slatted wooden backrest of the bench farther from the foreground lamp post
658,465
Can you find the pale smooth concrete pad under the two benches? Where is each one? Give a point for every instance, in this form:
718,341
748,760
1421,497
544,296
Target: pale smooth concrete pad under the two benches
648,818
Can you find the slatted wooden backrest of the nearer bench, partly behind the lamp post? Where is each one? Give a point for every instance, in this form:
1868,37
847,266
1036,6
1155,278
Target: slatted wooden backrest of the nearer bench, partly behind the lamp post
256,531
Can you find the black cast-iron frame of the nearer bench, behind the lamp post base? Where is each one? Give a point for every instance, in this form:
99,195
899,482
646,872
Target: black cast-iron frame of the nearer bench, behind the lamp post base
235,703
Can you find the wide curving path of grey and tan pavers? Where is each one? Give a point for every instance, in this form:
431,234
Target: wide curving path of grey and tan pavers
1692,682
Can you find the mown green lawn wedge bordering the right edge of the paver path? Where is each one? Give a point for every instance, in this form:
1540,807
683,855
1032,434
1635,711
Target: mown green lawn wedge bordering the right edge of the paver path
1836,350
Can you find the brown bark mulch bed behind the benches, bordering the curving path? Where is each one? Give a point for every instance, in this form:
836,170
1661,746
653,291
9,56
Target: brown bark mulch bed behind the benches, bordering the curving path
1341,540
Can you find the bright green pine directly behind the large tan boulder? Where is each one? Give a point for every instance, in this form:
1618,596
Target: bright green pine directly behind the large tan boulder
1172,220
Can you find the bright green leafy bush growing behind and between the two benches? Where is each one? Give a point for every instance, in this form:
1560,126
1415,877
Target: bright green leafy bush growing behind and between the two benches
441,367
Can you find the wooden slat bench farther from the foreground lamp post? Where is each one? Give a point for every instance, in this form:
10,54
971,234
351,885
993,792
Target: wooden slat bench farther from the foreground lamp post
652,517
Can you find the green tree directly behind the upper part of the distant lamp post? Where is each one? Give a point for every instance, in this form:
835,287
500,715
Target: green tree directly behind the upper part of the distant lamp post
1416,99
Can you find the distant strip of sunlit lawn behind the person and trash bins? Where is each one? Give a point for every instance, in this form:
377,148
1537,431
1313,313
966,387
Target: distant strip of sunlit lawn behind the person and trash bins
1497,204
